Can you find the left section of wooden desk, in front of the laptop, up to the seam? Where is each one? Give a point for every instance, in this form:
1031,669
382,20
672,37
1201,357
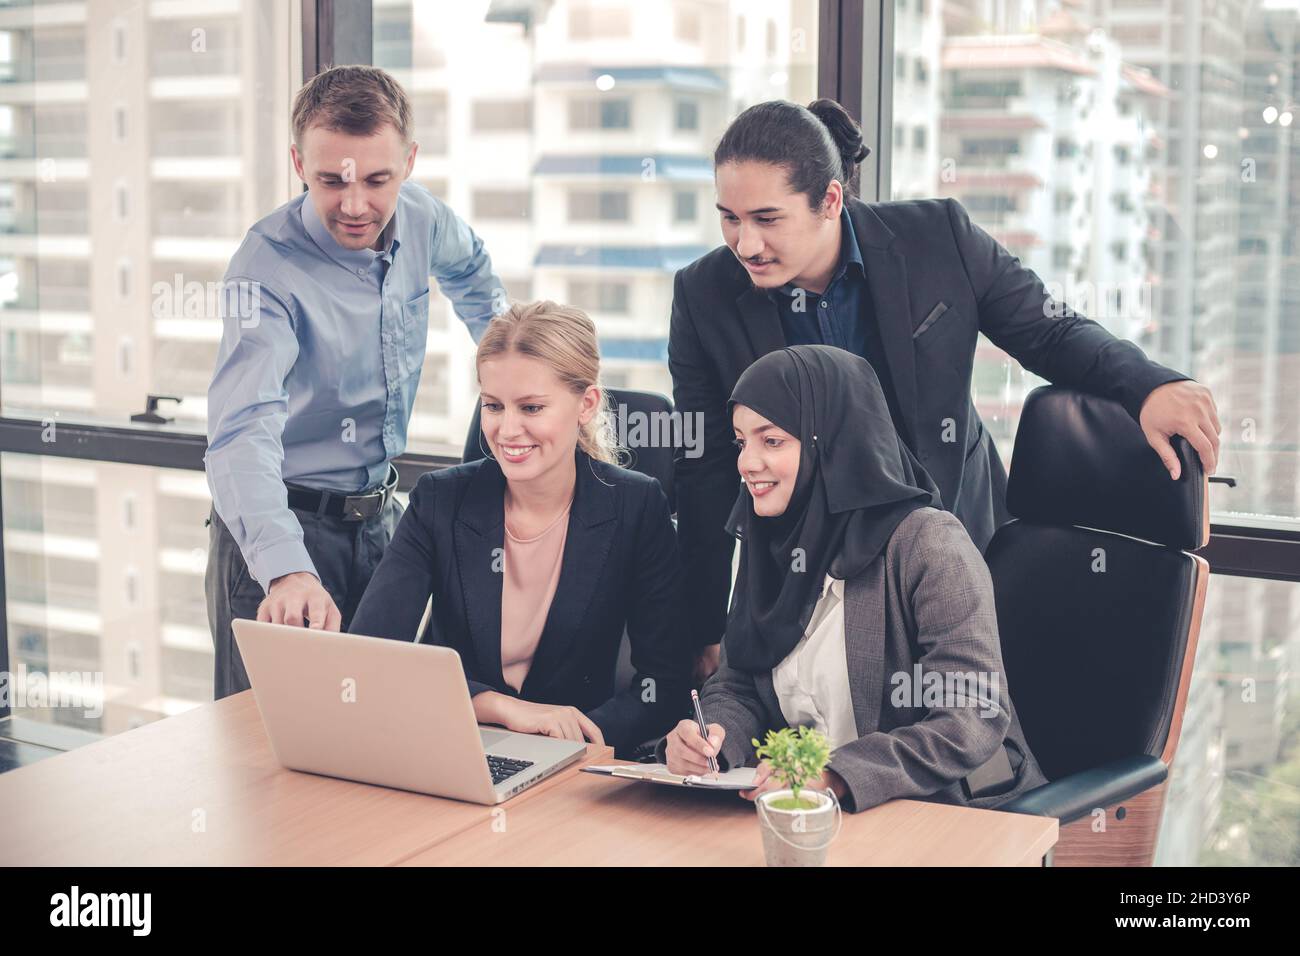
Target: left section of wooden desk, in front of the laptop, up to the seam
140,799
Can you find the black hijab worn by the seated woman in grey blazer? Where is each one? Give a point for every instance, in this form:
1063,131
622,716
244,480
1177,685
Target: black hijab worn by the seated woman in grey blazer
856,483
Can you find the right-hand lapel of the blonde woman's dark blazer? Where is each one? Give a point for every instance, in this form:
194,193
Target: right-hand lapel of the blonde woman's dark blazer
587,550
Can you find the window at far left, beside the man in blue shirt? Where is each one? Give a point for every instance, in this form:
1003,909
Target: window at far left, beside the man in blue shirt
138,142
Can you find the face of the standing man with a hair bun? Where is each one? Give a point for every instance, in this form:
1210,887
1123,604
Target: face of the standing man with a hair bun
774,233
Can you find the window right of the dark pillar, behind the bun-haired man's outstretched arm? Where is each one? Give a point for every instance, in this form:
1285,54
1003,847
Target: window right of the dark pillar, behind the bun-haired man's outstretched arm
1158,196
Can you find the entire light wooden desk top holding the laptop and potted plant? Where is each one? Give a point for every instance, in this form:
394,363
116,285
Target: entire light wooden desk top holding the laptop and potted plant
203,789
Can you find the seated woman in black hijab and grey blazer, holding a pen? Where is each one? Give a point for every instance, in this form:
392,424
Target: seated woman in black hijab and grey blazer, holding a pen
861,608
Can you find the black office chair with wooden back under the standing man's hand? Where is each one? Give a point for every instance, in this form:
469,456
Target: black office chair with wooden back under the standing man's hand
1099,607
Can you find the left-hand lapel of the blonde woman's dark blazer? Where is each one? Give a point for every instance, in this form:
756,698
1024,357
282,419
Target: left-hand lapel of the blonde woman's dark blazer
480,543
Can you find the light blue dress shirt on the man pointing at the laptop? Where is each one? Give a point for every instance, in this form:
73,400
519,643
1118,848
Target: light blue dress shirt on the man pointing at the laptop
322,351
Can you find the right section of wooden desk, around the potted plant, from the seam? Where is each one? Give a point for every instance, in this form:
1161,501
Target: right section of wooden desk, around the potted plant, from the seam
603,823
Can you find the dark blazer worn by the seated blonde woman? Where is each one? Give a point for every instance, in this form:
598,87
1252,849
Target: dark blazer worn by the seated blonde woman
621,570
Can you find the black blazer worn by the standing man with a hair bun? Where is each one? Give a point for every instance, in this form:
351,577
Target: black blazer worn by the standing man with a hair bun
937,282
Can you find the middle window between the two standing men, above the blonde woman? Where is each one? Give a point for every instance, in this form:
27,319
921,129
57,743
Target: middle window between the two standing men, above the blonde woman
582,154
